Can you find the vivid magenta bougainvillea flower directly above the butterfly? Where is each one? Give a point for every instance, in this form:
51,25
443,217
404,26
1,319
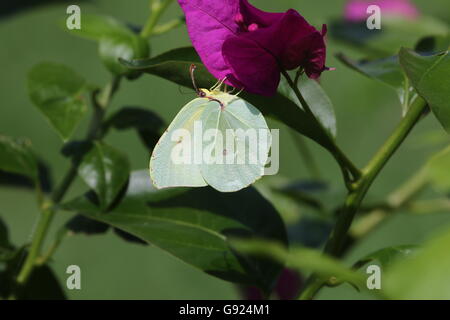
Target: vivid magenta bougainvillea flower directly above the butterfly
248,46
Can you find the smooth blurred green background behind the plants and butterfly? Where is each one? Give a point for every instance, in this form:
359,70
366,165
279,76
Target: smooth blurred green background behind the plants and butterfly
114,269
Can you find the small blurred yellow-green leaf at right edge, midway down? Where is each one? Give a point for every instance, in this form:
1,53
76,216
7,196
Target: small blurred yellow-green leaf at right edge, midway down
438,170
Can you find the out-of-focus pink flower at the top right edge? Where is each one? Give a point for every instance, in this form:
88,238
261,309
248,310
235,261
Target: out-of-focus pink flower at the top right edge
356,10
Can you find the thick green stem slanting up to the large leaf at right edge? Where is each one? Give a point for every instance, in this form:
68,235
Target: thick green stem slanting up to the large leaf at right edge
355,197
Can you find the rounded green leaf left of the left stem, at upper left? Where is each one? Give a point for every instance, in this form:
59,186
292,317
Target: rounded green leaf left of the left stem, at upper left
57,90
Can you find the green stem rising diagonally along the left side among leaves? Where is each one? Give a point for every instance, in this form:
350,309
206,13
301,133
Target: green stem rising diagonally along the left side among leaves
48,208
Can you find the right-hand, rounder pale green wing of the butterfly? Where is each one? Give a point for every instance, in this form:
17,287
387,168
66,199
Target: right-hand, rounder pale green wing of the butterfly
238,145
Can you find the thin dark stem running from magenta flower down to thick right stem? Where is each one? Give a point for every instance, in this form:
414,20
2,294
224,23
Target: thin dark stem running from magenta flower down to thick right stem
346,165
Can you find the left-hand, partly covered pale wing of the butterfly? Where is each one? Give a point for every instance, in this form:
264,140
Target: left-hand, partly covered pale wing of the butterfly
169,165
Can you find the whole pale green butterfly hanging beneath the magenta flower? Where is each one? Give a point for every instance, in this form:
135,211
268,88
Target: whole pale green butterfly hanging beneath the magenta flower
217,139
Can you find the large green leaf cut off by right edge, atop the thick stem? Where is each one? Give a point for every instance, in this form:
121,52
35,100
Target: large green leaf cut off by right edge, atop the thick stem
430,76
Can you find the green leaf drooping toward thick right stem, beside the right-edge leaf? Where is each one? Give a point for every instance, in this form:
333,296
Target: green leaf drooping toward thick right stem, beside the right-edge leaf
387,71
